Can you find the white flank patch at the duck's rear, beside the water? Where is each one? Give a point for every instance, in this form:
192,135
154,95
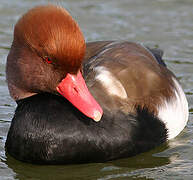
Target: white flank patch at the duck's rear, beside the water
175,112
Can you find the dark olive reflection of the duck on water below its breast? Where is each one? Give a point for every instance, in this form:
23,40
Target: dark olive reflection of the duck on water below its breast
118,168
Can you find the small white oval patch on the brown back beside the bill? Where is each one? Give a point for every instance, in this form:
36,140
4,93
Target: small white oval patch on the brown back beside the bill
112,85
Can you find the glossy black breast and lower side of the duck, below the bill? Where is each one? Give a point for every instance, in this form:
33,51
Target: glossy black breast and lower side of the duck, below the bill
47,129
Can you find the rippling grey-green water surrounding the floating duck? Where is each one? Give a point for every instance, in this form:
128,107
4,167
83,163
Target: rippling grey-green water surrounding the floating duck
167,23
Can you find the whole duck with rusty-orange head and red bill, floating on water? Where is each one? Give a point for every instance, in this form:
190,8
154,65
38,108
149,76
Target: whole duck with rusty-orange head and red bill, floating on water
81,102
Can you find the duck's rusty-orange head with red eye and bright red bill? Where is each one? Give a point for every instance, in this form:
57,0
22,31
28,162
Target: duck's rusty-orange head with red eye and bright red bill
46,56
